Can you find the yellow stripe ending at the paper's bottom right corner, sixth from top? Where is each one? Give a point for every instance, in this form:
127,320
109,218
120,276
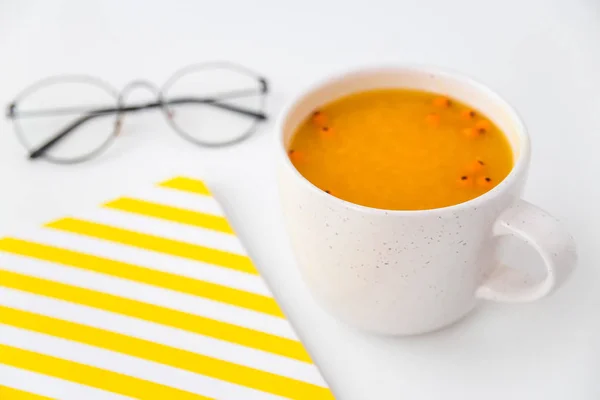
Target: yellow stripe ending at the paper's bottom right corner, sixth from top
182,359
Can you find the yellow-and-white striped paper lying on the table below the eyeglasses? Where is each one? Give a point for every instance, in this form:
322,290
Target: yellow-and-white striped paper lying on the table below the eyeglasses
150,296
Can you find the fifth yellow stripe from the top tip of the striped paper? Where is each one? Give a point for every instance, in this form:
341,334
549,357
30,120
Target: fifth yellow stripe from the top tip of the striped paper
161,315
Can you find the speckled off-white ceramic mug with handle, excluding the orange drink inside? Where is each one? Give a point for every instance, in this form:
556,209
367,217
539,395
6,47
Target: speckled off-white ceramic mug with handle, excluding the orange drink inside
409,272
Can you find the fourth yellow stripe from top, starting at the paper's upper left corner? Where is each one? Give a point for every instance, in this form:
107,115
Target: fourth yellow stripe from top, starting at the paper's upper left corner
224,294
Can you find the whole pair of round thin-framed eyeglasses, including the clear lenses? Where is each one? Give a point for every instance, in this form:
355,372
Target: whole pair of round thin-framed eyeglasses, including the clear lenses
70,119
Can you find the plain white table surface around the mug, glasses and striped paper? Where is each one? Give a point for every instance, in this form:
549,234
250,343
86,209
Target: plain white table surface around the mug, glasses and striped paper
543,56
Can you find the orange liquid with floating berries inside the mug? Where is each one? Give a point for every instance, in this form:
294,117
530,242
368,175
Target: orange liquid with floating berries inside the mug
400,149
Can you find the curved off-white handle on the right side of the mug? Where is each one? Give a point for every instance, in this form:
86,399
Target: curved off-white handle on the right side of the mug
546,235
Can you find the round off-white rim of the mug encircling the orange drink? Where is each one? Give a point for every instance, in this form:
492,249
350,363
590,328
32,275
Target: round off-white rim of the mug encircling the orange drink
518,169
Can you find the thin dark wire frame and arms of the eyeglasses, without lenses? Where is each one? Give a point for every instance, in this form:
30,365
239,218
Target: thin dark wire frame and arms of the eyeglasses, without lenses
217,100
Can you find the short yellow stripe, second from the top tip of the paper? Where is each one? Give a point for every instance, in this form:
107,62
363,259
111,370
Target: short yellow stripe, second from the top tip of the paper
169,213
